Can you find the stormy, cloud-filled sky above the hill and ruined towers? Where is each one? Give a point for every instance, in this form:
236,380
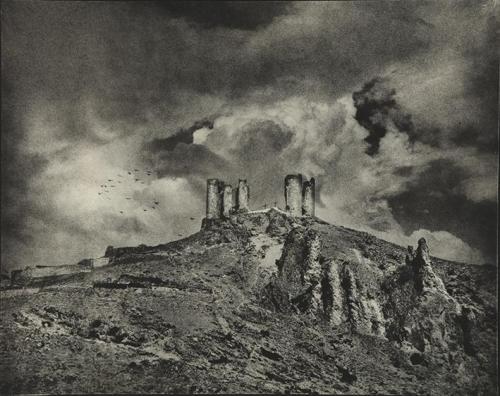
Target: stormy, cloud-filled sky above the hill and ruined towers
391,106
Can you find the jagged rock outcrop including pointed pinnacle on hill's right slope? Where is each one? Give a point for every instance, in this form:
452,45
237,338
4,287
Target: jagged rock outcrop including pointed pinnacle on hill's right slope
412,306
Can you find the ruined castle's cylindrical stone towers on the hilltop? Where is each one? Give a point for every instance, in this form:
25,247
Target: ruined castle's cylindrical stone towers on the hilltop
223,200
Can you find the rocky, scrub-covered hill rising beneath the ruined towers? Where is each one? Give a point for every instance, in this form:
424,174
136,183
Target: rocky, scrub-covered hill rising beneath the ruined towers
260,302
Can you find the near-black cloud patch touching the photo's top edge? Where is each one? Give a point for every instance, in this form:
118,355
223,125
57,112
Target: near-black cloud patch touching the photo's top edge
245,15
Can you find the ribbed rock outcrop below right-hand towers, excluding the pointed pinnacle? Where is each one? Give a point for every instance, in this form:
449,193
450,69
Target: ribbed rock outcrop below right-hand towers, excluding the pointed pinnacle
308,282
